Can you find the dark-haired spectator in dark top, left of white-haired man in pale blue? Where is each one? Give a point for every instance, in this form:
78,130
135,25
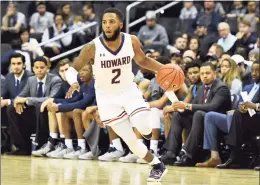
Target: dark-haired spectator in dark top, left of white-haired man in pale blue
206,39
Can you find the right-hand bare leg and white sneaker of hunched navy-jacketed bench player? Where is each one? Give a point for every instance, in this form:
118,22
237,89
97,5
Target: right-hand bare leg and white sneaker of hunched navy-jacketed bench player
81,149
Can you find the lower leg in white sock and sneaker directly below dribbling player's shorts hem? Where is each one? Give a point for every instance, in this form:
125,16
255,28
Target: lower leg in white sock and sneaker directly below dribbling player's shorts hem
115,150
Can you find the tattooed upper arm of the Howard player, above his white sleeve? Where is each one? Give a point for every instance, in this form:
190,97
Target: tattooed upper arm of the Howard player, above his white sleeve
87,55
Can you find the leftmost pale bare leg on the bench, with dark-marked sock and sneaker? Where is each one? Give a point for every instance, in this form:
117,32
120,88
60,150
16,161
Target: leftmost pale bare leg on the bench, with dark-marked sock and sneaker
53,138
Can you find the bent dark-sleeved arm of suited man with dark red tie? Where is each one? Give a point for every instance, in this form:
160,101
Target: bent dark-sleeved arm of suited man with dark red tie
218,100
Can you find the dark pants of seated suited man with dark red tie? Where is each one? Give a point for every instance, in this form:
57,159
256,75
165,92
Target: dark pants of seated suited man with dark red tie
191,121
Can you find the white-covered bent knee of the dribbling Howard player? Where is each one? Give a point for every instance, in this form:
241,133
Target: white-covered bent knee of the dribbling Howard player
142,122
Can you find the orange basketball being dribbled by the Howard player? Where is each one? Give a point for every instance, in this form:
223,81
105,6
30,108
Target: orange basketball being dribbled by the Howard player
170,77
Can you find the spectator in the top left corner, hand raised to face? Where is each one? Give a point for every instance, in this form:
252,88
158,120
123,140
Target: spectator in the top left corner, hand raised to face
12,22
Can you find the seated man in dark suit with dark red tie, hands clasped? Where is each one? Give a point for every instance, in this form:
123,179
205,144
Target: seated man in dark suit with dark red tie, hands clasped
213,95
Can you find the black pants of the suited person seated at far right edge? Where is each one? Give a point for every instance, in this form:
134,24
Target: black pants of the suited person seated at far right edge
242,126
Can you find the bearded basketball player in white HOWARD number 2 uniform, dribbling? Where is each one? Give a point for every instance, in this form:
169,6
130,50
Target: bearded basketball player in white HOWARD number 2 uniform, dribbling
120,102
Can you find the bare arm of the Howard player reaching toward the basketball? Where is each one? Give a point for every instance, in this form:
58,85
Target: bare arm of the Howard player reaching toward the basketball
141,59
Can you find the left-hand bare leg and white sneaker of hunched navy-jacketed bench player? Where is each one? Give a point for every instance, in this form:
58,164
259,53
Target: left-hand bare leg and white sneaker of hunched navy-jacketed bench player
66,130
